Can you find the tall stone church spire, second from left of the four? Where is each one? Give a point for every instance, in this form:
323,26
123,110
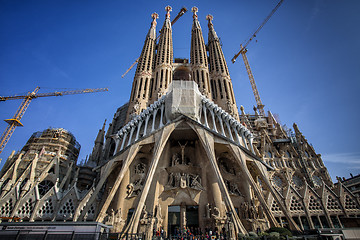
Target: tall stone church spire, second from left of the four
164,58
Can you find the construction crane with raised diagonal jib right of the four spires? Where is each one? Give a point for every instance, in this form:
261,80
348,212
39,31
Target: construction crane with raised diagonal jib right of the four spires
243,51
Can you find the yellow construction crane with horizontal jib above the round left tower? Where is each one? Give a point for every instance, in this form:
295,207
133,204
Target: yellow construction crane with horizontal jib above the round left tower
15,120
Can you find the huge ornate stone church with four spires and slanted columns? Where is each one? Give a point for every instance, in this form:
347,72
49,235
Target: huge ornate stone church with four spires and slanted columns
179,155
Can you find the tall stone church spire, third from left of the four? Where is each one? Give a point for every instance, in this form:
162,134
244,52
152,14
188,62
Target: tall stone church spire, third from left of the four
198,56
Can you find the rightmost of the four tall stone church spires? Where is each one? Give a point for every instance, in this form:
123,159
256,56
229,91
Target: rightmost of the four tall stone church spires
220,81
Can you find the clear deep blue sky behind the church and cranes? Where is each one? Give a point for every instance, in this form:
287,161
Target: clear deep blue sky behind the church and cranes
305,63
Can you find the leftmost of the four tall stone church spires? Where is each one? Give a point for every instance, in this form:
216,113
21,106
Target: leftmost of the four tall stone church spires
143,81
